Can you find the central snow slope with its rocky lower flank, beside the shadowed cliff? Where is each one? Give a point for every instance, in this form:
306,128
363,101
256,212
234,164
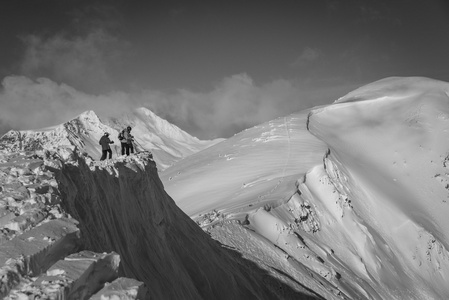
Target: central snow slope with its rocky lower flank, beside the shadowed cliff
243,181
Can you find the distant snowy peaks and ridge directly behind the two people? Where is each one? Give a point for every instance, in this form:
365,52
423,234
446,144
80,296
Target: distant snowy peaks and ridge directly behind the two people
167,142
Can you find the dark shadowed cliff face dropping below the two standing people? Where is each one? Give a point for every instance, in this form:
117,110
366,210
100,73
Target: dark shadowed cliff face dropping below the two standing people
122,206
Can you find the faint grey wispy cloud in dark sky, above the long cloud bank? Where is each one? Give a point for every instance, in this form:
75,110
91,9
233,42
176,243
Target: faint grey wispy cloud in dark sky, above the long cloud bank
80,61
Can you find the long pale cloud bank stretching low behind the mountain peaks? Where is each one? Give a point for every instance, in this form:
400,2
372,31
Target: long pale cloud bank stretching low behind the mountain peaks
236,103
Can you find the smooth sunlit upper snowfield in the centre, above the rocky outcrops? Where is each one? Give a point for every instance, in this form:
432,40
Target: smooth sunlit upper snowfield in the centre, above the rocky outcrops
256,167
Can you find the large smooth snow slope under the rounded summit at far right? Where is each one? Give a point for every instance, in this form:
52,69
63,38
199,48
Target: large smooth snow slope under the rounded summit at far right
389,158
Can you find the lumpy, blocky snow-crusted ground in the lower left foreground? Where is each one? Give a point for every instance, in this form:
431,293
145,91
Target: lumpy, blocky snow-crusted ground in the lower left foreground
40,246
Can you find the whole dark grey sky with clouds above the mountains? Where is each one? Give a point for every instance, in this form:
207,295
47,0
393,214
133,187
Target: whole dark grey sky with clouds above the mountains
213,68
